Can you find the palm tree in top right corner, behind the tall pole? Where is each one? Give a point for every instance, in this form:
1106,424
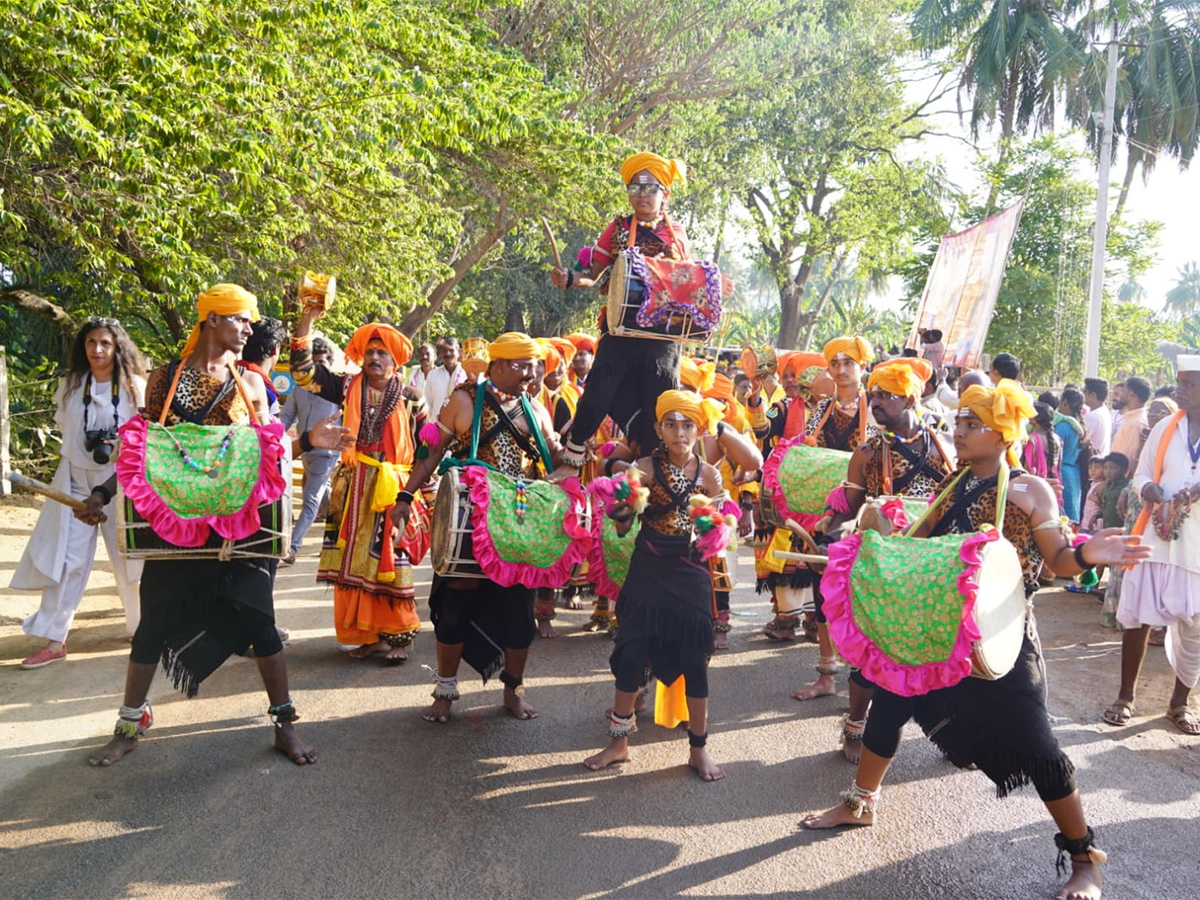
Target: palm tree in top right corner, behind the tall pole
1159,87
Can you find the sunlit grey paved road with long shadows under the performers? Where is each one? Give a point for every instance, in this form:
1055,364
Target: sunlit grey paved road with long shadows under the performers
491,807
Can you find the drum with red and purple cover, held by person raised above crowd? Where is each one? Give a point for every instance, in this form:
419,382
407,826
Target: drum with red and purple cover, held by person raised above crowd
665,299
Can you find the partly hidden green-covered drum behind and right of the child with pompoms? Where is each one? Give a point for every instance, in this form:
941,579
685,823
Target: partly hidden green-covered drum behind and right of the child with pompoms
797,481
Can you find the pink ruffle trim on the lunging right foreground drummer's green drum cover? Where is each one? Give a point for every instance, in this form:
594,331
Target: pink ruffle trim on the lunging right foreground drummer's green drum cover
860,651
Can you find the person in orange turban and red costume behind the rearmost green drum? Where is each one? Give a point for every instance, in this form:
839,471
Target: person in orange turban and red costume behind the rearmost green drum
772,423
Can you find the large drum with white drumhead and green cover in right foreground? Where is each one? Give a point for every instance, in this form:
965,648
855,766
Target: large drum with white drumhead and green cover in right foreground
968,617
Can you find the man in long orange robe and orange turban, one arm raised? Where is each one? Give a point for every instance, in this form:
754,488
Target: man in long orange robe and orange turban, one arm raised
375,605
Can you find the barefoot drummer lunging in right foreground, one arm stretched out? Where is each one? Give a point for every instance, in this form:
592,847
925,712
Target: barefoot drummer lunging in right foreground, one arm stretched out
1001,727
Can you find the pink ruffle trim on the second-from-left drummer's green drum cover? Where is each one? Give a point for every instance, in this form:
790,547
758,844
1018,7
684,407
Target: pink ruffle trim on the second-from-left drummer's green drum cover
507,574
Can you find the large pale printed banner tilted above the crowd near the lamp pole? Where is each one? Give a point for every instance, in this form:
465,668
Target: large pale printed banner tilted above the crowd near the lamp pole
963,285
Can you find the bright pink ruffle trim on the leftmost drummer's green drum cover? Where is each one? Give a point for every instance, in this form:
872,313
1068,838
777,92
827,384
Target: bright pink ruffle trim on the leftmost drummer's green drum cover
195,532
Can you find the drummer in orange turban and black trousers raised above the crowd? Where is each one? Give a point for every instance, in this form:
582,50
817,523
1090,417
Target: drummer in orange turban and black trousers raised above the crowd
628,374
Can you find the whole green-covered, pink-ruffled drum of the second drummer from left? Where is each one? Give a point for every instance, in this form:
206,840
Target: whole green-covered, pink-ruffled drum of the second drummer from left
509,531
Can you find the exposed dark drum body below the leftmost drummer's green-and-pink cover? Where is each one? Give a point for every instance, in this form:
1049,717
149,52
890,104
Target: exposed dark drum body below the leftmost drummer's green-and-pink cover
137,541
